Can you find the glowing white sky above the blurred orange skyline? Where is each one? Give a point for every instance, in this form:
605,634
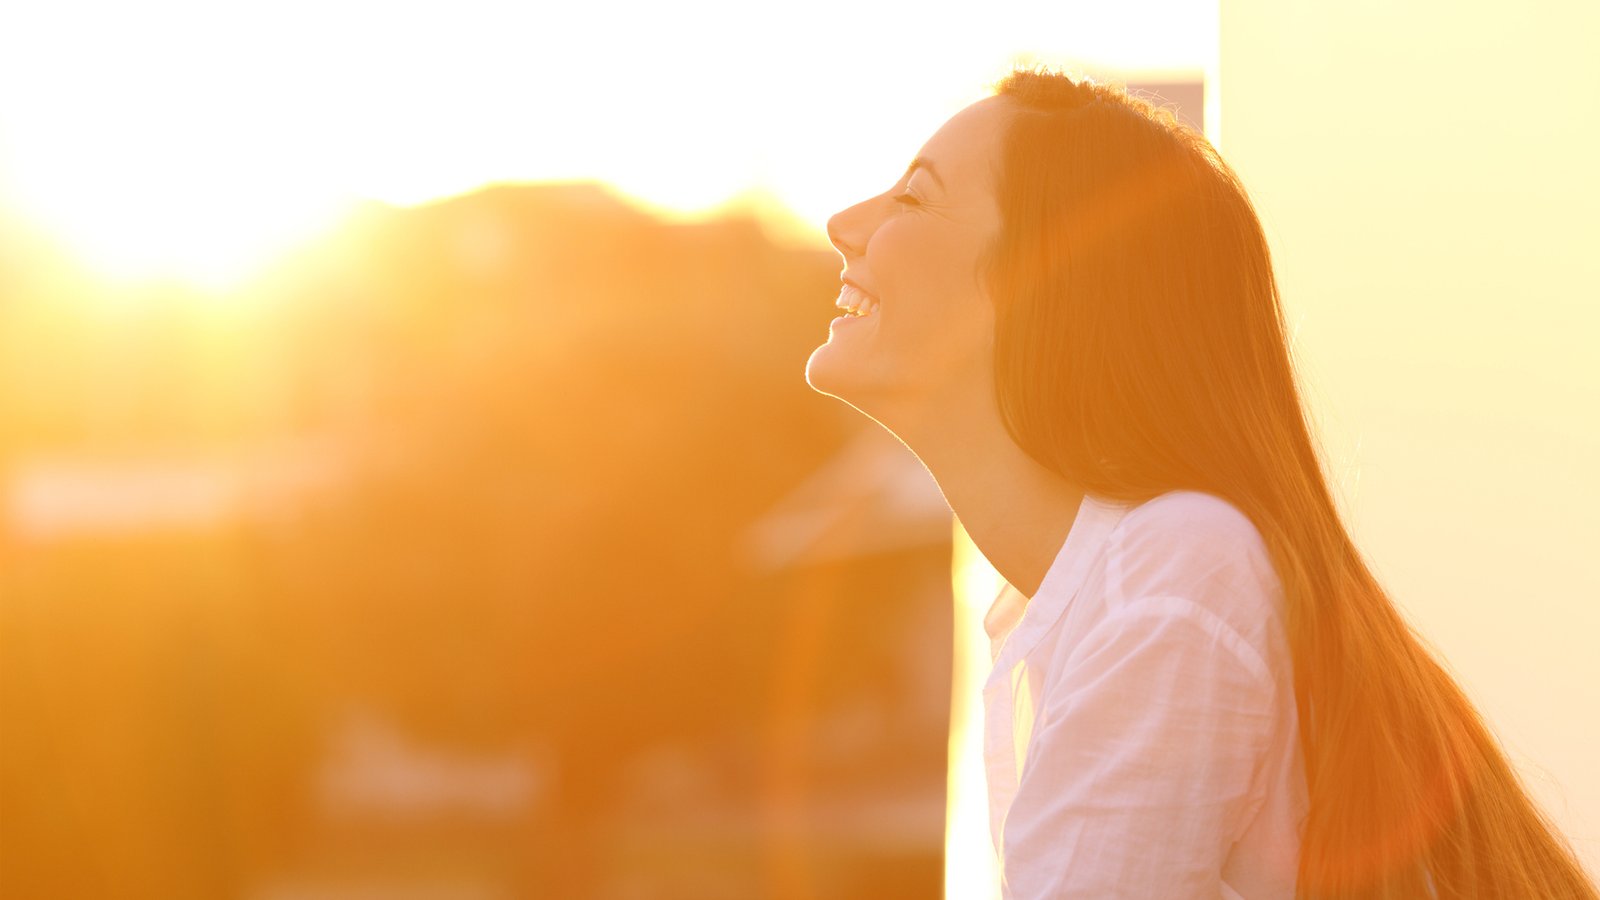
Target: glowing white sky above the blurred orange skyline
198,139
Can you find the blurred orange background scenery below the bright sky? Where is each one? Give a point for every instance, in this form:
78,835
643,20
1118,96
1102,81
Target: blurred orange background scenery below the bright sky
426,565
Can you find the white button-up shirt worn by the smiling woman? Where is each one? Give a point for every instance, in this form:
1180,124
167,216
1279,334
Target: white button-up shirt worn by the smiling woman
1140,723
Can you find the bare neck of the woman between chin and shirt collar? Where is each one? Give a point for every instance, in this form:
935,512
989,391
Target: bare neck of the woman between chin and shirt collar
1015,510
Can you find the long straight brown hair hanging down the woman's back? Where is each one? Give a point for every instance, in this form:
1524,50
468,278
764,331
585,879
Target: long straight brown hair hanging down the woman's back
1142,348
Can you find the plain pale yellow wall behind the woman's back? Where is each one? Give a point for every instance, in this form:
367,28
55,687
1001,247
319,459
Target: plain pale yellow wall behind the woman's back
1430,183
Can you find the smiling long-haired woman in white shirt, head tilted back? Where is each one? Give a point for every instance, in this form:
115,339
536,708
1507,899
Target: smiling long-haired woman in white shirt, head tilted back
1066,310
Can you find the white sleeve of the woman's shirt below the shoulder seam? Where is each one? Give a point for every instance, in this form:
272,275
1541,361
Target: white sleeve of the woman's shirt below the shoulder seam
1142,765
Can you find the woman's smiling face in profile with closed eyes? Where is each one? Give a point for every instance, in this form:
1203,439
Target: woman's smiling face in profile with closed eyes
916,251
